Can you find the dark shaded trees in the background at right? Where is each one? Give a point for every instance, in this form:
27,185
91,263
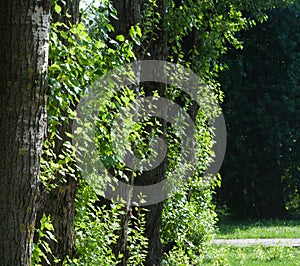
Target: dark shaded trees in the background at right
262,88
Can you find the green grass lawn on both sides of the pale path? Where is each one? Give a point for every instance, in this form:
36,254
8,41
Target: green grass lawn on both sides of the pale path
256,255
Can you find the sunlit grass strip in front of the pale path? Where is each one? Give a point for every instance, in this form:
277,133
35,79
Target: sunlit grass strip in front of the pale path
252,256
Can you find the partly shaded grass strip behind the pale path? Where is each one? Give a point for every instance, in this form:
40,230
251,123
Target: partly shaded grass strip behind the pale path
258,229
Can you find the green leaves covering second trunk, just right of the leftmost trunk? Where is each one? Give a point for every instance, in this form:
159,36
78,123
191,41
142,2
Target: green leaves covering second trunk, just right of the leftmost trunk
69,72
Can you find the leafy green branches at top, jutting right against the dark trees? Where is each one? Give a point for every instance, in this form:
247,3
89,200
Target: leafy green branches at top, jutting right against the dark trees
216,25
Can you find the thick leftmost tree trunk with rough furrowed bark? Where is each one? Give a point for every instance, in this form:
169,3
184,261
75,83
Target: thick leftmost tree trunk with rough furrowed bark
24,28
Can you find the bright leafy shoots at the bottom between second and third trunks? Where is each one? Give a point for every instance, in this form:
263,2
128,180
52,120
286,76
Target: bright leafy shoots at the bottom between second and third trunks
95,230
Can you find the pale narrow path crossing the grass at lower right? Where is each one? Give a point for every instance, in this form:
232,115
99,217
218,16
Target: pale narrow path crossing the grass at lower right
291,242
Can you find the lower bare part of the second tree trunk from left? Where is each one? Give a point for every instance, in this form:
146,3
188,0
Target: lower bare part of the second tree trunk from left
59,204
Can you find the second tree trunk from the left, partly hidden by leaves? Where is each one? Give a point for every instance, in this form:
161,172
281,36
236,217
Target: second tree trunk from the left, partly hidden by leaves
59,202
